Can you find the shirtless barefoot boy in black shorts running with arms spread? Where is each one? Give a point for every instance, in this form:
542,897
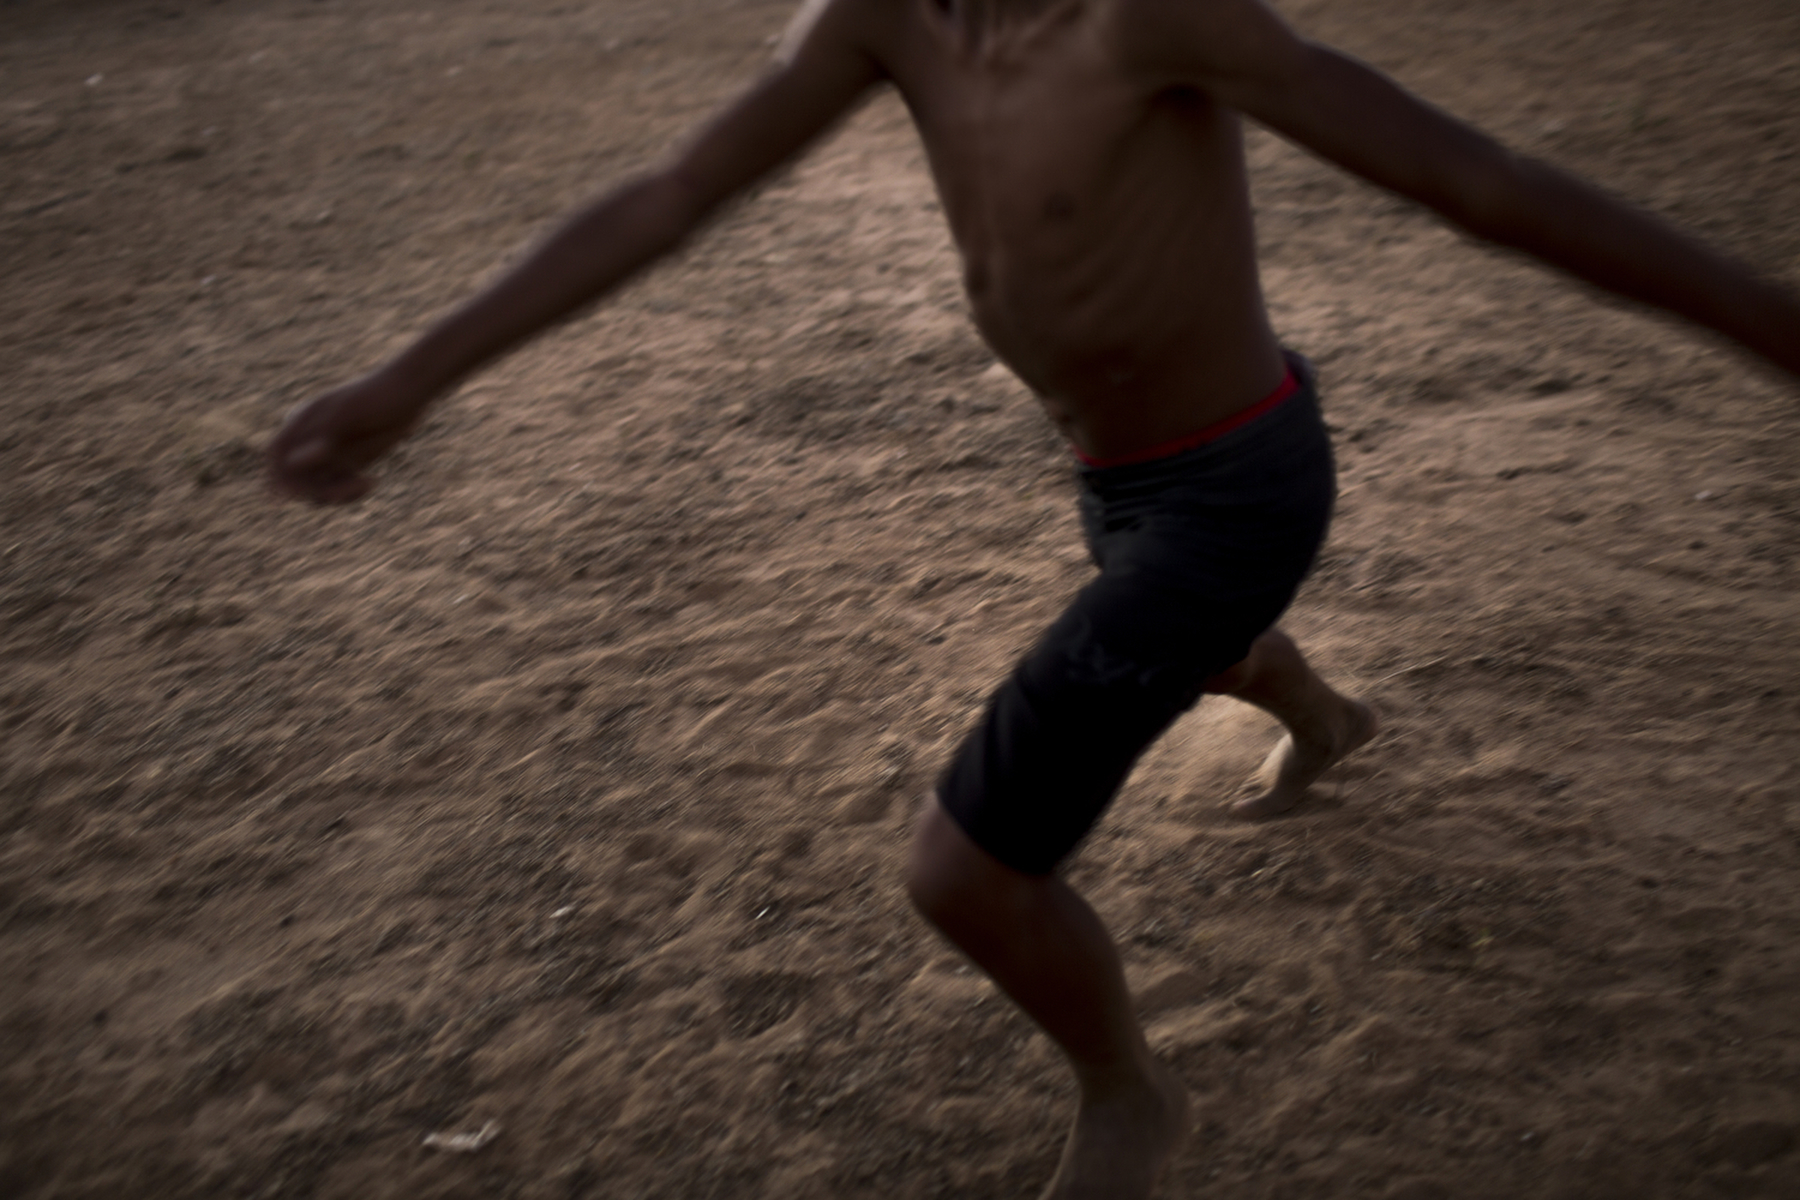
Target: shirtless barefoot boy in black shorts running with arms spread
1092,168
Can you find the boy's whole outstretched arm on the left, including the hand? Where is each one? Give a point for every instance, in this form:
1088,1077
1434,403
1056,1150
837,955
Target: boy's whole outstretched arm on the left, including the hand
325,447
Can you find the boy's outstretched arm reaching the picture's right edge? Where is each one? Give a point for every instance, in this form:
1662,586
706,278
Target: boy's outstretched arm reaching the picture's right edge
1243,55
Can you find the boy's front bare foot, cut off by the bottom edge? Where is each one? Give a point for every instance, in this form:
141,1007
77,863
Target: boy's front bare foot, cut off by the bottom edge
1122,1143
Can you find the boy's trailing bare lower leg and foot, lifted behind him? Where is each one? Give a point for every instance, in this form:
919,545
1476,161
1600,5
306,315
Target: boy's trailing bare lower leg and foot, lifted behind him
1322,724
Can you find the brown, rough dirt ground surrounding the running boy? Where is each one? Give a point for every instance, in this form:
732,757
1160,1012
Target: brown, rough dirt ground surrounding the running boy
559,791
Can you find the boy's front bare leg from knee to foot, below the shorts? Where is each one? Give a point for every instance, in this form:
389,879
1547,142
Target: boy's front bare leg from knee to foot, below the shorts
1048,951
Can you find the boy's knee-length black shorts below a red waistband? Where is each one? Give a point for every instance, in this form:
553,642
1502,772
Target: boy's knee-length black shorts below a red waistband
1198,553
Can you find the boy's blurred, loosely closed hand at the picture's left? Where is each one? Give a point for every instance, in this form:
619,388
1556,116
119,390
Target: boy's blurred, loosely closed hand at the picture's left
325,445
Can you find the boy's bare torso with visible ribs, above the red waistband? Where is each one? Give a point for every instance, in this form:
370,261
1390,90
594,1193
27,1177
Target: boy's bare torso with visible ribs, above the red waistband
1102,219
